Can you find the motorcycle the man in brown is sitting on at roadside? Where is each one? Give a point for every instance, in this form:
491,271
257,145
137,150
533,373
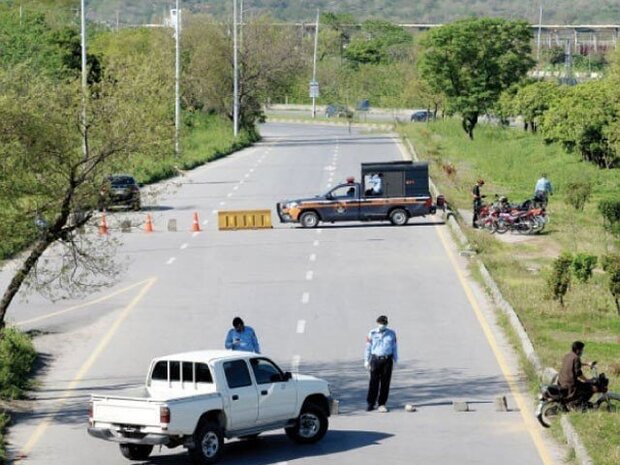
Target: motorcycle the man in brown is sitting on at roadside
553,402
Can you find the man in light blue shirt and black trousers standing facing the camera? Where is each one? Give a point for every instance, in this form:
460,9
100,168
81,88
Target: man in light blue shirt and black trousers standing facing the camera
379,357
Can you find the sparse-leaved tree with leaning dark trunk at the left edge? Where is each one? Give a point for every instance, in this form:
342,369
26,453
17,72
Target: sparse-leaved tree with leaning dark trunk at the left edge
49,181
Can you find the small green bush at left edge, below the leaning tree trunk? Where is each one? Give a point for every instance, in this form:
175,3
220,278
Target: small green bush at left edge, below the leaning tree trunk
17,356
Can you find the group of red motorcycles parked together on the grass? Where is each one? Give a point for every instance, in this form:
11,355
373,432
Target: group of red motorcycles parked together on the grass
501,216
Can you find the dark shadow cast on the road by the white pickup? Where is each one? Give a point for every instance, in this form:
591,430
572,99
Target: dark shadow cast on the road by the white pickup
275,448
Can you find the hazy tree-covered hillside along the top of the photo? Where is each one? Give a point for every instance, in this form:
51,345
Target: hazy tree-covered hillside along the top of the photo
399,11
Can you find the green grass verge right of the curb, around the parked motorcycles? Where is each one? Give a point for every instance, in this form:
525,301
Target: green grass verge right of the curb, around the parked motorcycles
510,161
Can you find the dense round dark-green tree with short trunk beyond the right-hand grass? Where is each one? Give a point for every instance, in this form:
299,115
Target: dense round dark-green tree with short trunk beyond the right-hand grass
473,61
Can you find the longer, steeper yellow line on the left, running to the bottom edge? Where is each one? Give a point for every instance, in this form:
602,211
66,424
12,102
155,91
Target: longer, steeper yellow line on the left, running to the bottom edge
87,365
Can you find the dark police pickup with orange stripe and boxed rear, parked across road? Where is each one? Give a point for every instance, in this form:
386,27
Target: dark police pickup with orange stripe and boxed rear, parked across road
394,191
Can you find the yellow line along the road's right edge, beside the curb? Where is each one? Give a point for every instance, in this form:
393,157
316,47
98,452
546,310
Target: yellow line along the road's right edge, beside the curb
528,416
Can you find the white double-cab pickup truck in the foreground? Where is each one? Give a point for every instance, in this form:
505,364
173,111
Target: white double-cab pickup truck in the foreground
196,399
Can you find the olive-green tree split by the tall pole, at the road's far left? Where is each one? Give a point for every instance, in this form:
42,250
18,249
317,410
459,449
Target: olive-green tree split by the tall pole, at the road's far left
266,65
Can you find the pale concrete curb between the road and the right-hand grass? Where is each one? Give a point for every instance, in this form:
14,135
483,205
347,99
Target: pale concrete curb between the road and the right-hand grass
570,435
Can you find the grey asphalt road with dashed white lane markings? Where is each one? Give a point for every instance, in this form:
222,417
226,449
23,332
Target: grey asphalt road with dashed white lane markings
311,295
